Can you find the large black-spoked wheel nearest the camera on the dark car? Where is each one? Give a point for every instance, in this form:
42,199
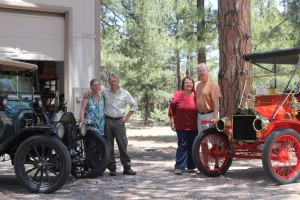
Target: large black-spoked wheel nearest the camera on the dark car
42,164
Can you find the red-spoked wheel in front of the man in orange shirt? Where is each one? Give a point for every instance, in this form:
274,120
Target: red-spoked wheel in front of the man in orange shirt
211,152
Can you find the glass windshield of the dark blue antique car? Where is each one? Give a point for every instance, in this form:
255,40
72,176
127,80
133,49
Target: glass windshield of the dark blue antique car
15,84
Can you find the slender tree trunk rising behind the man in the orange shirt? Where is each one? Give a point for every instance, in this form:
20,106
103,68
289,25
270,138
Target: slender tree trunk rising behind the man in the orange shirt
201,32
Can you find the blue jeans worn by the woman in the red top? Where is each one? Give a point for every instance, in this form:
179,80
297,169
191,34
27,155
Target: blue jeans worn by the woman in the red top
184,151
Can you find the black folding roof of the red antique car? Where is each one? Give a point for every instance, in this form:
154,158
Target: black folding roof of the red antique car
280,56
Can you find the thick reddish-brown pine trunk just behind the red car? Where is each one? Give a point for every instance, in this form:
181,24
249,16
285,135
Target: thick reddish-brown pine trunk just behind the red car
234,40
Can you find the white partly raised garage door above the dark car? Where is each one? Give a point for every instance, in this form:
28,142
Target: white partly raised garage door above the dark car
31,35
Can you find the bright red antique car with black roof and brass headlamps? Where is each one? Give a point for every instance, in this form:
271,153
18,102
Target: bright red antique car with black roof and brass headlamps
265,125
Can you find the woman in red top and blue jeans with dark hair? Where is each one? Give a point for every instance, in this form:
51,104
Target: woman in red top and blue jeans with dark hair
183,117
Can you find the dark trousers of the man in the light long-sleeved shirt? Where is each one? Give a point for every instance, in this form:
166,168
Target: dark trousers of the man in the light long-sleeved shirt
114,128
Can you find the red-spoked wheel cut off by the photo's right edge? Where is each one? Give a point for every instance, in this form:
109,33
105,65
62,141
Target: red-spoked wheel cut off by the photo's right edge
281,156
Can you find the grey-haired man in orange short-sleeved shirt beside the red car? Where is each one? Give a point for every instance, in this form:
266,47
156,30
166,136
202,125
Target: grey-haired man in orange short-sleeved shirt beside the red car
207,99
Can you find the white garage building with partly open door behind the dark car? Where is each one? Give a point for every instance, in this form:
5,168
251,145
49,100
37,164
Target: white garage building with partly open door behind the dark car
61,36
